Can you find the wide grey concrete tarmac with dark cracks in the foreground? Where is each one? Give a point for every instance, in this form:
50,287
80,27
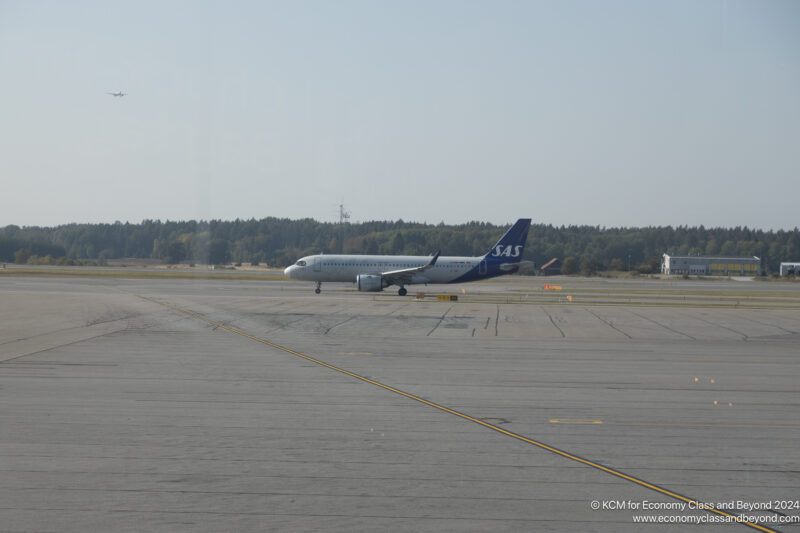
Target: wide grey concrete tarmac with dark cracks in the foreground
155,405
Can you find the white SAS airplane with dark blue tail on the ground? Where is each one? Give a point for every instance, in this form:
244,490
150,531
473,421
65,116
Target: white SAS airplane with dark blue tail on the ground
375,272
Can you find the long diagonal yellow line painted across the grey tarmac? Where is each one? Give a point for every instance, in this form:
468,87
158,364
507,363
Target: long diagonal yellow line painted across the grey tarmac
697,504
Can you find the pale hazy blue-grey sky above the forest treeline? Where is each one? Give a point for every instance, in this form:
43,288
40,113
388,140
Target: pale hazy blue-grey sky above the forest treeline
612,113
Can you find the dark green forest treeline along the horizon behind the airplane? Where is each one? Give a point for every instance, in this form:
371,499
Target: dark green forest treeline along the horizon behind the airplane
279,242
